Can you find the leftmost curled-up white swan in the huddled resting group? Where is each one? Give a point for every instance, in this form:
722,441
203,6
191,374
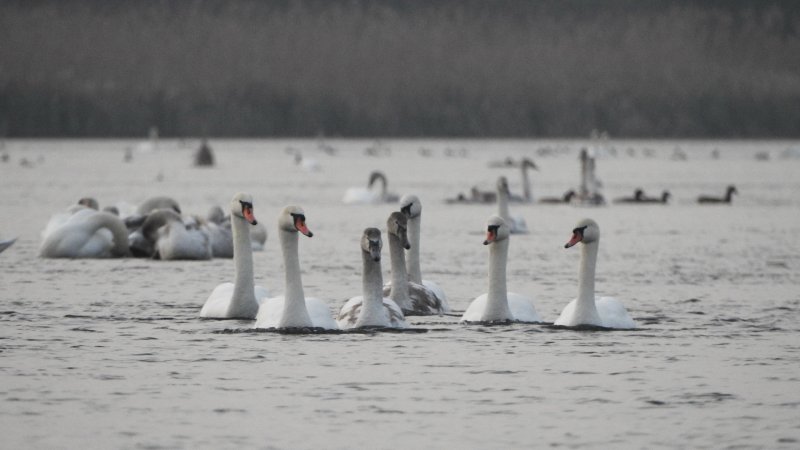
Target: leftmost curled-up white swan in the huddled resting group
85,234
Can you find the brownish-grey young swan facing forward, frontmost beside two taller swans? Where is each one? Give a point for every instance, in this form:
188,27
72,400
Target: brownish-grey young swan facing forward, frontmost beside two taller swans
371,309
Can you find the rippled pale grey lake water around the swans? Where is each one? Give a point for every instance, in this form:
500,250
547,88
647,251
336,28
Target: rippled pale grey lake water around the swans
111,354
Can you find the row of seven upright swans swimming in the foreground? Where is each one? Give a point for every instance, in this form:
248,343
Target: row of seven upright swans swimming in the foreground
386,306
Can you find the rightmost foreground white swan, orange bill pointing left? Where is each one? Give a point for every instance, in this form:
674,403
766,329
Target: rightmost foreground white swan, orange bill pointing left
589,309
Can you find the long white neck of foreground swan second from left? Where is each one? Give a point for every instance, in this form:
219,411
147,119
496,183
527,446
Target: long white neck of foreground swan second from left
295,313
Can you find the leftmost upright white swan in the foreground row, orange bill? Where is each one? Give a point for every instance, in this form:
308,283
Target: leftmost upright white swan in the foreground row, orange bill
240,299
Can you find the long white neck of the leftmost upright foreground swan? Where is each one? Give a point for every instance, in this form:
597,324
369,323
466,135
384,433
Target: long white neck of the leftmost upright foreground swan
243,303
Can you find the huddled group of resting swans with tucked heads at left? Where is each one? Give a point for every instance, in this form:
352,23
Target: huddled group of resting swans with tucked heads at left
157,229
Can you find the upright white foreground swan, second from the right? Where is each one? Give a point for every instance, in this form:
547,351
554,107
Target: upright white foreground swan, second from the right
499,305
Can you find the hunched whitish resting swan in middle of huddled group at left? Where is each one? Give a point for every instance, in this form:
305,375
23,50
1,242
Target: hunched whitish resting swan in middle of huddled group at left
172,239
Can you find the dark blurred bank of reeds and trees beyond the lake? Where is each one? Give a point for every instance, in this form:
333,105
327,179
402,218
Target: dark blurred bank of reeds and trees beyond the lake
634,68
